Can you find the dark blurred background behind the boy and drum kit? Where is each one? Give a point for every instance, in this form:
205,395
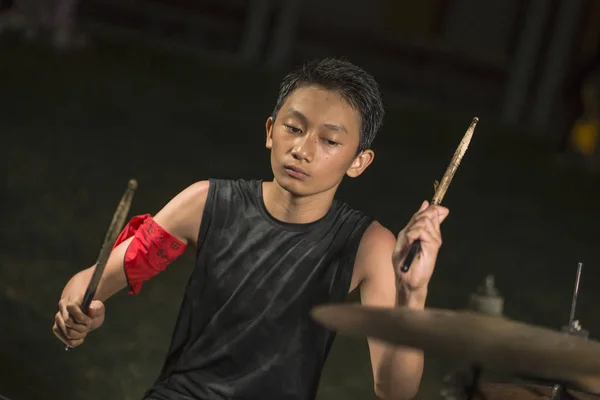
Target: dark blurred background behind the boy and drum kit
173,91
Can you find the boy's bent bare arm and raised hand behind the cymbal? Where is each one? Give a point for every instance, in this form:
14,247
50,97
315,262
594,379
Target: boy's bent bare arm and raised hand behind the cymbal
397,370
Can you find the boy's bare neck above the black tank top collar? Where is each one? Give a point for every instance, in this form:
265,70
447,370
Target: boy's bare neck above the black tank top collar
287,207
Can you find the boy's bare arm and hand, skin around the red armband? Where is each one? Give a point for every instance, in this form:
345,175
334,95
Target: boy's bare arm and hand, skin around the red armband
181,217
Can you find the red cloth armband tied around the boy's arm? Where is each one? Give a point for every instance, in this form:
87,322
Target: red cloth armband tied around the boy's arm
150,252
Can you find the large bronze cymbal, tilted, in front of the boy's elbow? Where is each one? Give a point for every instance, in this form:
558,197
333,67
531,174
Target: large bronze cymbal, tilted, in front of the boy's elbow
492,342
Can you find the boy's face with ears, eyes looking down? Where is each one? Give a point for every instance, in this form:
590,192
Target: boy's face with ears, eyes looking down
314,140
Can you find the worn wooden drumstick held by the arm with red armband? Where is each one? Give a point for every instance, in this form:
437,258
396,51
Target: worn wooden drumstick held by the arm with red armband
114,229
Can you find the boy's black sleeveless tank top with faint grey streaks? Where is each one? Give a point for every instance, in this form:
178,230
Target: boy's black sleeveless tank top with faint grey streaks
244,329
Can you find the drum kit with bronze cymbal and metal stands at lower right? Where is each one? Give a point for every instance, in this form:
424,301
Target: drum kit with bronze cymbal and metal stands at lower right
535,362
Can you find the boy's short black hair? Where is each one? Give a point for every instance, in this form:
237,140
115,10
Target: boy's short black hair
355,85
